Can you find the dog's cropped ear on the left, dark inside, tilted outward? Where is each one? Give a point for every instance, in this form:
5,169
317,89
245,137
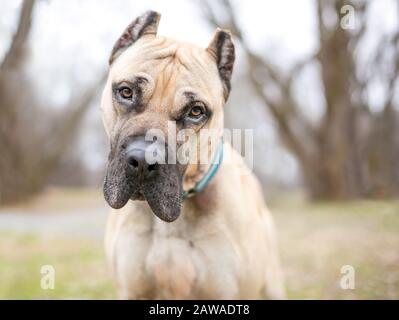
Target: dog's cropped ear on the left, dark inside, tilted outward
146,24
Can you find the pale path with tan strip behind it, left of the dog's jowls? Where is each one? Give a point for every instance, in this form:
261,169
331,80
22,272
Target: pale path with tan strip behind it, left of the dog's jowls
59,213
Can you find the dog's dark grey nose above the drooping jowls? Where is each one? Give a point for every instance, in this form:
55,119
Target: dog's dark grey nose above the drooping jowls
136,156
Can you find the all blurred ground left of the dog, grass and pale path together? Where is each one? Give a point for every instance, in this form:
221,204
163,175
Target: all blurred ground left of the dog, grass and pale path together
61,228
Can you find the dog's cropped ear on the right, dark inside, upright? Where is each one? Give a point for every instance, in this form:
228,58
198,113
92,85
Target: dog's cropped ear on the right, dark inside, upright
222,49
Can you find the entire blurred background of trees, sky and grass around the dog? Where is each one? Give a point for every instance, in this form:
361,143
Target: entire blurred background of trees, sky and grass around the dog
316,80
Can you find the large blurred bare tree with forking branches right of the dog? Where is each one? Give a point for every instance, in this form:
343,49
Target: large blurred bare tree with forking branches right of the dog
352,151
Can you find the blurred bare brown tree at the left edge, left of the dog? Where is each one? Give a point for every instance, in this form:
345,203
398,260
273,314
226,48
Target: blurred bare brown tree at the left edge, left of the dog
33,137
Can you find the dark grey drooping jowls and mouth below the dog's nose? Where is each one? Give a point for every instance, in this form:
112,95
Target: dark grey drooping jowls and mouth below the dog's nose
162,189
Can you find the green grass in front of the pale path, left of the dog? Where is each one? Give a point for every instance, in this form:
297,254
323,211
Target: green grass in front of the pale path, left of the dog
80,271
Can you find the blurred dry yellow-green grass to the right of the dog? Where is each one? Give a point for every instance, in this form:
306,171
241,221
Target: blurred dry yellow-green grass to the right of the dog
317,239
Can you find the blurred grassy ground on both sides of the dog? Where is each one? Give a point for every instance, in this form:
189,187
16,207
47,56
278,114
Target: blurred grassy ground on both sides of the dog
315,240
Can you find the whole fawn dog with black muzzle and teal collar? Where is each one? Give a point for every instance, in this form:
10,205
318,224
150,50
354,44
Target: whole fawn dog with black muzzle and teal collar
171,234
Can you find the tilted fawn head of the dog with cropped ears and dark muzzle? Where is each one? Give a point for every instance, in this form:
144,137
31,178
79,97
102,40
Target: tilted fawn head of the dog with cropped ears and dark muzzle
155,81
